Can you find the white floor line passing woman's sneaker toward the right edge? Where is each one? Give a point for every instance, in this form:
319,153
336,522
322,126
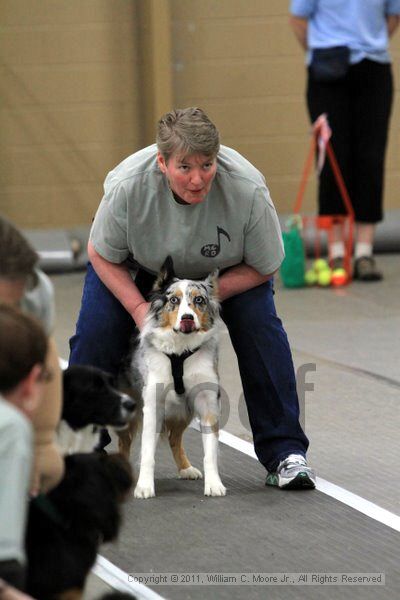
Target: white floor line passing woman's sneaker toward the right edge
326,487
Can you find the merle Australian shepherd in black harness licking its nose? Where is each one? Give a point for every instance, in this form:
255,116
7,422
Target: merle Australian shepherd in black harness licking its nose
174,368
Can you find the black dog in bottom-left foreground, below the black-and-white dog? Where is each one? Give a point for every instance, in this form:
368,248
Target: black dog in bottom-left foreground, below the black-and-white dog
66,526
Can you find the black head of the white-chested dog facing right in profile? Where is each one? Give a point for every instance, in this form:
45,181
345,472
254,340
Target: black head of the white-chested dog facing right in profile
91,399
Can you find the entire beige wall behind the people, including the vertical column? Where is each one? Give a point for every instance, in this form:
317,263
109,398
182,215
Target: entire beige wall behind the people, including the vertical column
82,80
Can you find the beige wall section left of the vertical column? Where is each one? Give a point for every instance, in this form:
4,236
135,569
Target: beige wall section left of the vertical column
69,105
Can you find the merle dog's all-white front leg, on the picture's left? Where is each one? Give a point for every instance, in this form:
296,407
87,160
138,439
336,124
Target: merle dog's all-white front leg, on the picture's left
145,485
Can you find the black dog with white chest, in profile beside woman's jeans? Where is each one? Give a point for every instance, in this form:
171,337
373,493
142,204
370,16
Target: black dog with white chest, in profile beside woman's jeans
90,402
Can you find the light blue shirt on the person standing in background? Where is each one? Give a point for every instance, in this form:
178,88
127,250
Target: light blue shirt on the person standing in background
358,24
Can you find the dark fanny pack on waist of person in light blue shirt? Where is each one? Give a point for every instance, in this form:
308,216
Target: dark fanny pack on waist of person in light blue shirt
329,64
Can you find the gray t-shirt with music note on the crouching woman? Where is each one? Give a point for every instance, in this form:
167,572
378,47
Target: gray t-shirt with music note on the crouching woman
139,218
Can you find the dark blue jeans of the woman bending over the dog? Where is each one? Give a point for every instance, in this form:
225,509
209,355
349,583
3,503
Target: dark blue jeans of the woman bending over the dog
104,330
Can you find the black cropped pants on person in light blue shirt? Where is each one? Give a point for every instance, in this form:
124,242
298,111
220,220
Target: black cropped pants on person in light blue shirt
358,108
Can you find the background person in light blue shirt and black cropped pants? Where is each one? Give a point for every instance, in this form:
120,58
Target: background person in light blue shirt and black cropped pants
350,79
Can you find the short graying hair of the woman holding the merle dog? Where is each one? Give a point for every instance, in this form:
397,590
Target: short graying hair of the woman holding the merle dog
187,131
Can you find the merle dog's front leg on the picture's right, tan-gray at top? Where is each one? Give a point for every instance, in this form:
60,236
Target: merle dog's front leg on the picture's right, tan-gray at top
208,410
